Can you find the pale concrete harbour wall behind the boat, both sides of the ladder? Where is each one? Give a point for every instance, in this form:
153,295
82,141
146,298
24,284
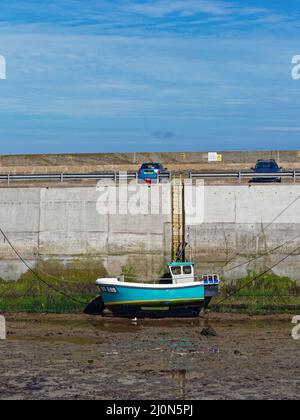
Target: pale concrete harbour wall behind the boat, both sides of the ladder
61,226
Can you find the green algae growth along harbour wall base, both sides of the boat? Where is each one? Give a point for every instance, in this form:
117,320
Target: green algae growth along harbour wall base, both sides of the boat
269,294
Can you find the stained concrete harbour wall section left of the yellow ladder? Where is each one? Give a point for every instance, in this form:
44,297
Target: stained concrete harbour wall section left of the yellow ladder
63,224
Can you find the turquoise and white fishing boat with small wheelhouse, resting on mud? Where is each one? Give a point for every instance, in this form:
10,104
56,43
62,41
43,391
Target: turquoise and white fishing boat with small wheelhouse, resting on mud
179,294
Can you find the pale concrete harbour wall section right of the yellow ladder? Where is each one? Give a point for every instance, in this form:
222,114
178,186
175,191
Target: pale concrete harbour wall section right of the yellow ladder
243,223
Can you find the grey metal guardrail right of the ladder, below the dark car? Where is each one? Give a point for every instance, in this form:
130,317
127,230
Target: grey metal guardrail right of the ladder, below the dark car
245,175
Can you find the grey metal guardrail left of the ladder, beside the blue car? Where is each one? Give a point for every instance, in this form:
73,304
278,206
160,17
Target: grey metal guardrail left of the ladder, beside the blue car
62,177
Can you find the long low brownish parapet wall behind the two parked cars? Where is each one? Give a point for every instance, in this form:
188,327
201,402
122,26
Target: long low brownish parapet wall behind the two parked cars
130,161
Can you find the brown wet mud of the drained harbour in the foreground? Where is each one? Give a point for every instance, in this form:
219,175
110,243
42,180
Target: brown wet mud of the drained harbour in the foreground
79,357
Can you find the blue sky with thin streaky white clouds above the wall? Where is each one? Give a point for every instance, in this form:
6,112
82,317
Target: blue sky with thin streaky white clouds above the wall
159,75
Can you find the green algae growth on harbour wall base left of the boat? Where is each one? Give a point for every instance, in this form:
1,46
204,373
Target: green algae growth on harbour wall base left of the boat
77,280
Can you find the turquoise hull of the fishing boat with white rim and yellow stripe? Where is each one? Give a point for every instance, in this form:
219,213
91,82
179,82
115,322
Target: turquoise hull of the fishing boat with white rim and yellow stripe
128,300
